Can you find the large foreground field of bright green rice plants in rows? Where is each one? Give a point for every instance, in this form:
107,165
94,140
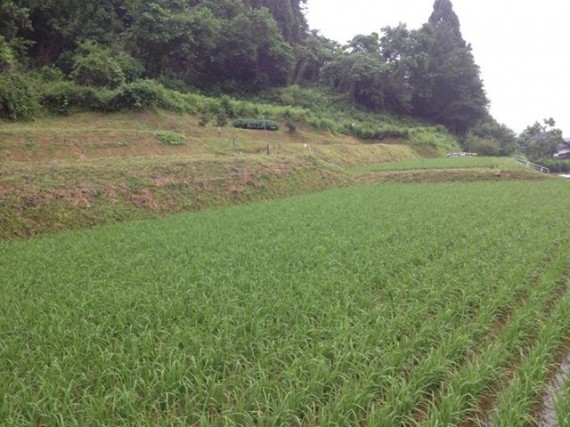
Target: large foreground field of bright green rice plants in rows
383,305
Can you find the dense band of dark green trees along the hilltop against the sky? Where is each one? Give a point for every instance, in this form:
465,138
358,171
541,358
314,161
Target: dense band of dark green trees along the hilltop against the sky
243,46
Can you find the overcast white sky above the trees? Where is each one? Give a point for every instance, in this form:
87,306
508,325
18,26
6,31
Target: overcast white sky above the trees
521,46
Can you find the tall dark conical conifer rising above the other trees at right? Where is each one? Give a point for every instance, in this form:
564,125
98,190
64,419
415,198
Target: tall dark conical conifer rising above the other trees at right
453,93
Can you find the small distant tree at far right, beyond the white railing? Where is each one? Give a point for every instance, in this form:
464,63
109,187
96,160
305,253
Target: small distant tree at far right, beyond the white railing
540,141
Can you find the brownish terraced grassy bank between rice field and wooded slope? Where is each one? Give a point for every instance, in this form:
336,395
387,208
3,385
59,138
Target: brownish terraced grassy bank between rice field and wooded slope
89,169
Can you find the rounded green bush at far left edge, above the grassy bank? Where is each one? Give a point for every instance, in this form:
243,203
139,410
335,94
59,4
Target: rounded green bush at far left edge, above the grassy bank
18,98
